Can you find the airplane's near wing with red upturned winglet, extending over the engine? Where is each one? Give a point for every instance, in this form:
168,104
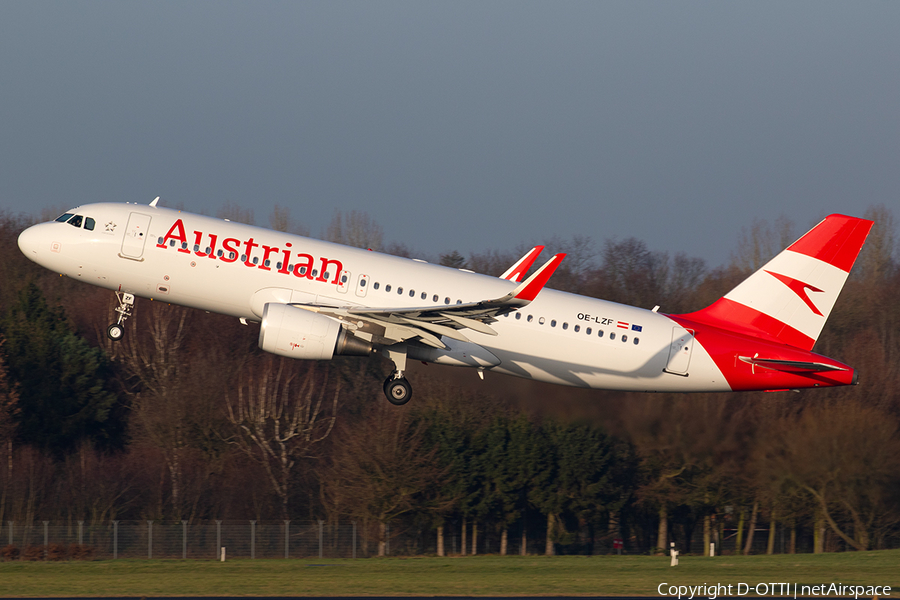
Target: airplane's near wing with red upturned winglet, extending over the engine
387,326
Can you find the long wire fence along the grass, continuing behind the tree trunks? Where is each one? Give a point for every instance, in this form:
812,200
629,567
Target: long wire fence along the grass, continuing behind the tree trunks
289,539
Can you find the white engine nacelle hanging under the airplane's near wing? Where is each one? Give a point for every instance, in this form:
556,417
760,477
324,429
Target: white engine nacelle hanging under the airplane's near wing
297,333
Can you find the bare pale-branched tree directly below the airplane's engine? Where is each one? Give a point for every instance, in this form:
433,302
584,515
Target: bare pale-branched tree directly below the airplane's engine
281,410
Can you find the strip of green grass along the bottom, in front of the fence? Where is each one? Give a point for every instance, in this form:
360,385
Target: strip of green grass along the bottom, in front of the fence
475,576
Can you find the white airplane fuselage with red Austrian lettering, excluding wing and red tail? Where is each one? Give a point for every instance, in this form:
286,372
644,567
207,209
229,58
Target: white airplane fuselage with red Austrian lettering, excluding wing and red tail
234,269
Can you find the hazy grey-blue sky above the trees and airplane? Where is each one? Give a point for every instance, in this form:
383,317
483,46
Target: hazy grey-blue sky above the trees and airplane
459,125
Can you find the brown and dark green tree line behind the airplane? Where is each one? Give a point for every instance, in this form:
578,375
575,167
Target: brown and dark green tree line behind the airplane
186,419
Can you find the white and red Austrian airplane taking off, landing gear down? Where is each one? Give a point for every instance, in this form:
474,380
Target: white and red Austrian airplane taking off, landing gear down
315,300
